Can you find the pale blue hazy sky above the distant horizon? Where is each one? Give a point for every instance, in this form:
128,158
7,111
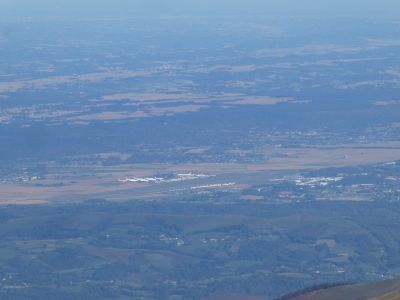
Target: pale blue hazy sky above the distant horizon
126,8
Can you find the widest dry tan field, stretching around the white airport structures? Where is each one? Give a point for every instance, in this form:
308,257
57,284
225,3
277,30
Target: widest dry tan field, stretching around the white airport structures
85,182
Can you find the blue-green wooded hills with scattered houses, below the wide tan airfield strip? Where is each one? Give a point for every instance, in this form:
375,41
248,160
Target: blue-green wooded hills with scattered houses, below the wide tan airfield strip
190,250
